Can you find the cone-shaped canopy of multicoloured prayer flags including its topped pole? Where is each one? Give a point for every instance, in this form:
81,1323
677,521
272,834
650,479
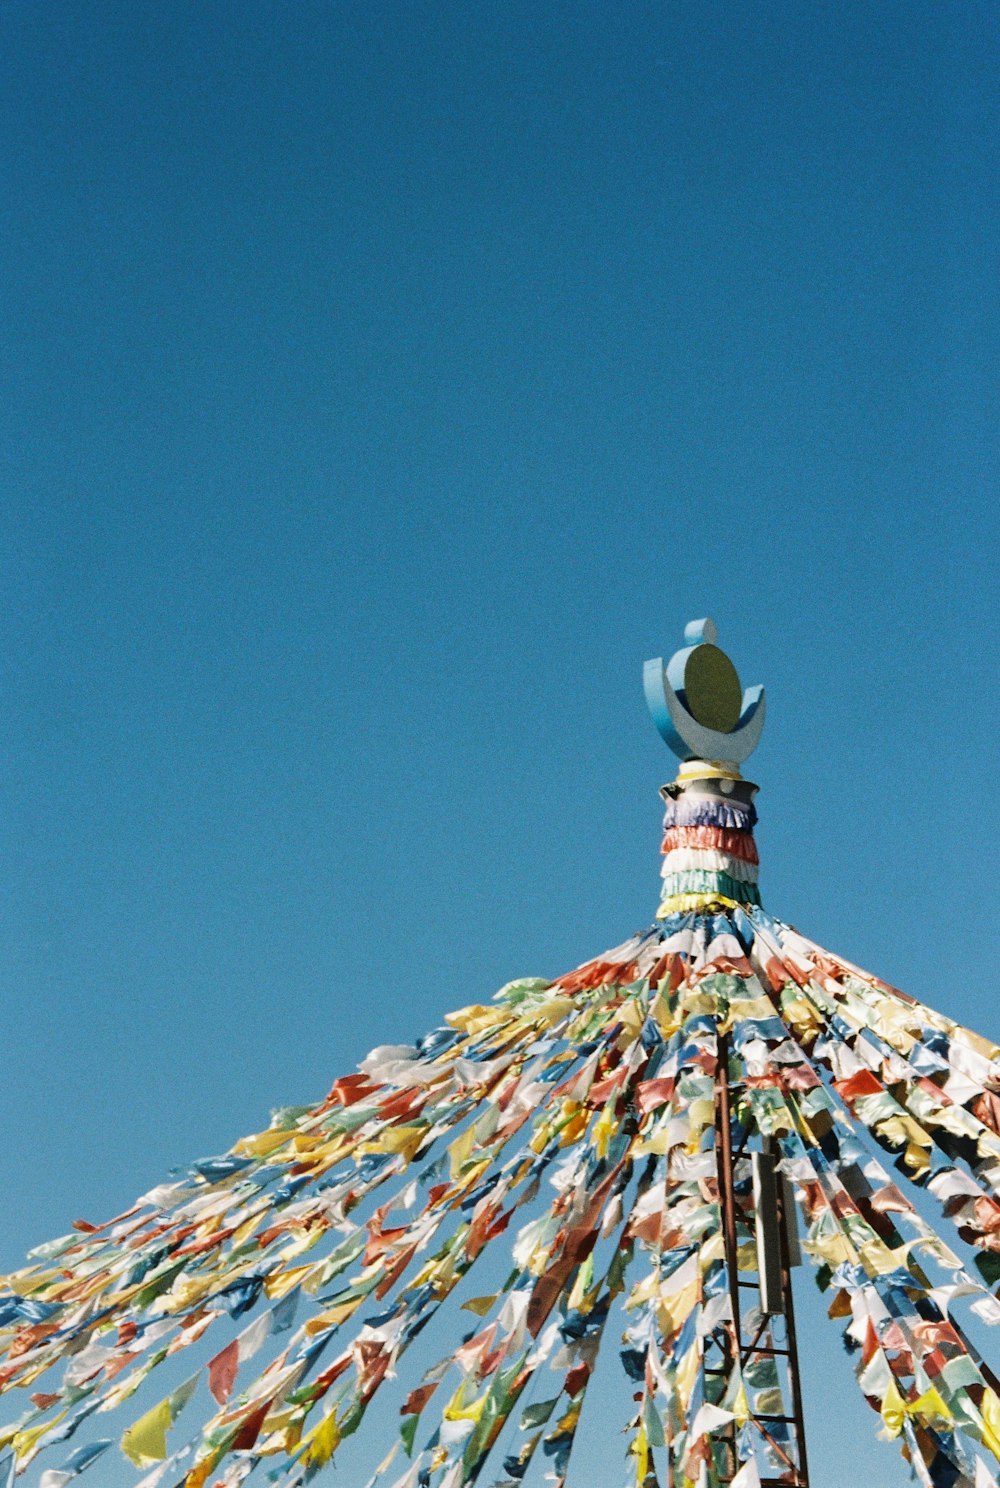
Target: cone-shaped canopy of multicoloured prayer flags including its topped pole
626,1161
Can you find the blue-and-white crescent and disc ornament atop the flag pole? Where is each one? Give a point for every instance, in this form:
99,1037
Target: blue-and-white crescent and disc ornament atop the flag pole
697,702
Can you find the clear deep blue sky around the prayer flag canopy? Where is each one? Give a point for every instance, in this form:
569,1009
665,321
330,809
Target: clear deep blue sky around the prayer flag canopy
383,385
